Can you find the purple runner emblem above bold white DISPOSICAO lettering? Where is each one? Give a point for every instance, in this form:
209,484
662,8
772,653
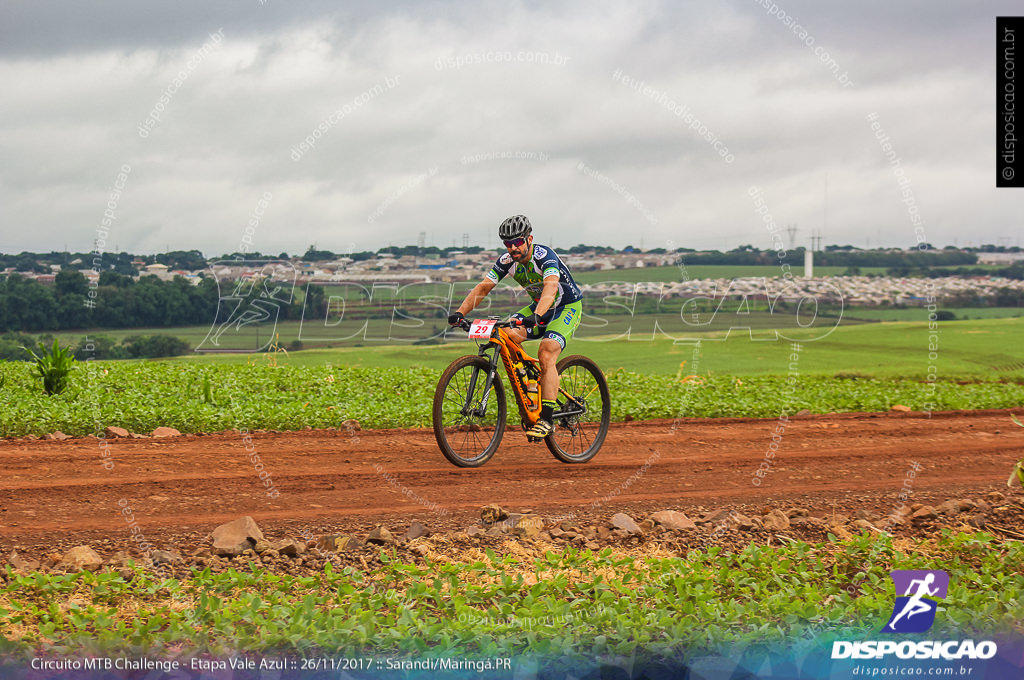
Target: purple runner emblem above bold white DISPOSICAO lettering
918,592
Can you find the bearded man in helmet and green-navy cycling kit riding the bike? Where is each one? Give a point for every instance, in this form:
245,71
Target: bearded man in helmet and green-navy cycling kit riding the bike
553,316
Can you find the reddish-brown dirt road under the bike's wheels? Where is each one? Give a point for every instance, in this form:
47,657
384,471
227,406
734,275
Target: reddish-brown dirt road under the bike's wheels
179,489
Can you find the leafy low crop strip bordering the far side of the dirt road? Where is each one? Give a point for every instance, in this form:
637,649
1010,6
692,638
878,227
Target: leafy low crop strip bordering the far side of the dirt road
267,394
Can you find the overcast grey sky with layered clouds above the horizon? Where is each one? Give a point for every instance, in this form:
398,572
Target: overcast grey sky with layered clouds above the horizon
643,123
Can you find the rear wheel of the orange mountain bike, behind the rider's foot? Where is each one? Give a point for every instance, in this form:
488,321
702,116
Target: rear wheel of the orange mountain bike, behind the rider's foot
580,431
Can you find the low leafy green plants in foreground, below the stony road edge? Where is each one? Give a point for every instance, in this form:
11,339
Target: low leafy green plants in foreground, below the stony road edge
569,606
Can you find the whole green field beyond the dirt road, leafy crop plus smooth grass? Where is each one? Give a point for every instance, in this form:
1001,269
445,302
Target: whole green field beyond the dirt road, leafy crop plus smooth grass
861,368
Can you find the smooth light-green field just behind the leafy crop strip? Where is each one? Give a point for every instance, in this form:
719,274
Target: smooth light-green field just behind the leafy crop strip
983,349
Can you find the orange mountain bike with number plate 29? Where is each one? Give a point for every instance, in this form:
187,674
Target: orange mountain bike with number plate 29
471,409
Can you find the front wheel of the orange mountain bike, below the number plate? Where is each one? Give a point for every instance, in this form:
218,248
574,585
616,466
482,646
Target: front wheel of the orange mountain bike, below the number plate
467,427
